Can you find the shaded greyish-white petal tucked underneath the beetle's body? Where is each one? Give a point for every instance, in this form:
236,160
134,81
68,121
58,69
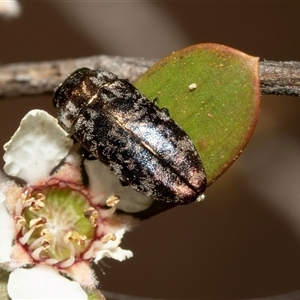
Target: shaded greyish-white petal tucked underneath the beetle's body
103,182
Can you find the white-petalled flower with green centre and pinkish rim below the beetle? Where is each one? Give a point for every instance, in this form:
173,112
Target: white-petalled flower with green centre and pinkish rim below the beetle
50,223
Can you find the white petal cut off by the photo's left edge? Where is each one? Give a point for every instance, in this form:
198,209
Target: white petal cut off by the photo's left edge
7,231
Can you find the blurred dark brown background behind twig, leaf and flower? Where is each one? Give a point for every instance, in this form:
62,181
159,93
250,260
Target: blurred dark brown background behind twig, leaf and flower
243,241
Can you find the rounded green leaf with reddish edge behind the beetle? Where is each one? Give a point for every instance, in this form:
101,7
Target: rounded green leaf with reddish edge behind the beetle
212,92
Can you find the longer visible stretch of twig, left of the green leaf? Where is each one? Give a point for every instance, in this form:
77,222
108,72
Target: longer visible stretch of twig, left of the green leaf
36,78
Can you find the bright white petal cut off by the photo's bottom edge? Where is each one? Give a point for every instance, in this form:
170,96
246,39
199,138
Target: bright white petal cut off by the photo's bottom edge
42,282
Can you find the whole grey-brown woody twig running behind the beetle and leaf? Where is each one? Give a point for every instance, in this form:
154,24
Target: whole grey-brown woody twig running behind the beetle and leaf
20,79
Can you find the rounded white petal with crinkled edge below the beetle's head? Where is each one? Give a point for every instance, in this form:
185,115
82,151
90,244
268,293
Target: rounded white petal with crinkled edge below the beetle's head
38,145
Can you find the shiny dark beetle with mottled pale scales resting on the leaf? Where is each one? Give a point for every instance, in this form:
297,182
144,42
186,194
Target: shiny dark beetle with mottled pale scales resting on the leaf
138,141
